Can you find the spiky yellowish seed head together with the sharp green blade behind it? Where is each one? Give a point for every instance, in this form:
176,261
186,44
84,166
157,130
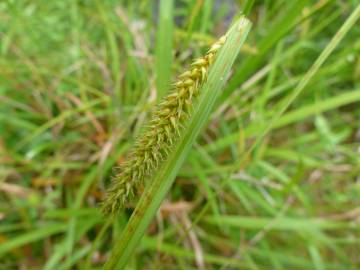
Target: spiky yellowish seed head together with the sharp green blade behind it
159,152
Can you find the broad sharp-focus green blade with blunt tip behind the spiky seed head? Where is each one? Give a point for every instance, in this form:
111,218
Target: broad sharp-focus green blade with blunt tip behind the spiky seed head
162,180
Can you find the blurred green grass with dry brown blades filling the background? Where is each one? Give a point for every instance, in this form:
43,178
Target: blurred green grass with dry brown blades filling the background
273,181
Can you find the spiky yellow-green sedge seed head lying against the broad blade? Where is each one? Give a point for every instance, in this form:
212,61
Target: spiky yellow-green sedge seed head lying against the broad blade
154,144
